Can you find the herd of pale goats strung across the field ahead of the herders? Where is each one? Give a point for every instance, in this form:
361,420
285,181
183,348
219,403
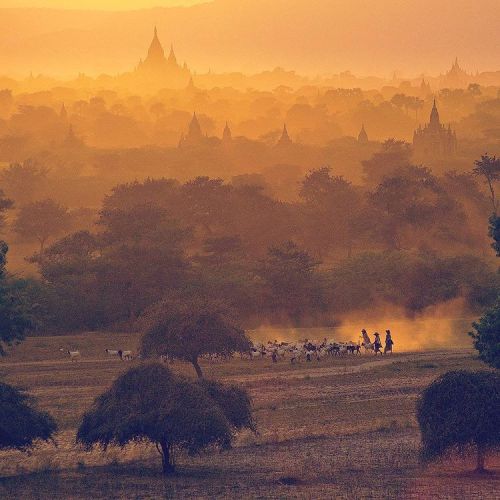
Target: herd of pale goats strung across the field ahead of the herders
302,350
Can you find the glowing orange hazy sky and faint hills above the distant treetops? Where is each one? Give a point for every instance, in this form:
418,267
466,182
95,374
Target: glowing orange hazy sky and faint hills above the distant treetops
252,36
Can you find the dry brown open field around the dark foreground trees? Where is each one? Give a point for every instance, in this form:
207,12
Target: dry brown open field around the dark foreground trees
341,428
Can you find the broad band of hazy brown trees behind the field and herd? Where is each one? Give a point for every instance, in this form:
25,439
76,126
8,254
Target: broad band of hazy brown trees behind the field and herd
407,237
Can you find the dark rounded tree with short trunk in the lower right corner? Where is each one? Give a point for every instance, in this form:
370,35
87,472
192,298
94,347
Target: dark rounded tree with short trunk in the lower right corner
458,411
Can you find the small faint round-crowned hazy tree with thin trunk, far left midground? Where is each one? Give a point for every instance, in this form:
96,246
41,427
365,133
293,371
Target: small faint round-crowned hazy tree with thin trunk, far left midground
42,220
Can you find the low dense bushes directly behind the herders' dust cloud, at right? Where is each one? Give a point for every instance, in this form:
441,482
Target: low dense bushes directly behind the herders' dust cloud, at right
410,280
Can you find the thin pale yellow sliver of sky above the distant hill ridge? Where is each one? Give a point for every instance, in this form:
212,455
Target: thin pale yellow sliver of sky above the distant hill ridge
99,4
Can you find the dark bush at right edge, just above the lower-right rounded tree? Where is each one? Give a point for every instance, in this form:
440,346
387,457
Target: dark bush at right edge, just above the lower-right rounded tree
486,336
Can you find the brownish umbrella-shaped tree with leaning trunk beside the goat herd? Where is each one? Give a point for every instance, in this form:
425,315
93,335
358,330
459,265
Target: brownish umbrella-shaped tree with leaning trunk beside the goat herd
188,330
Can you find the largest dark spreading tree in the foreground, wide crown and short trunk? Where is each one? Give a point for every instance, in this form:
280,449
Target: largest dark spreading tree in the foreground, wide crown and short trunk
151,403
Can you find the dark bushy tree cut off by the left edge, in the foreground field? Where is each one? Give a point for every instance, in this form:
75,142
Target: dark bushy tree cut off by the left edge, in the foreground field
21,422
